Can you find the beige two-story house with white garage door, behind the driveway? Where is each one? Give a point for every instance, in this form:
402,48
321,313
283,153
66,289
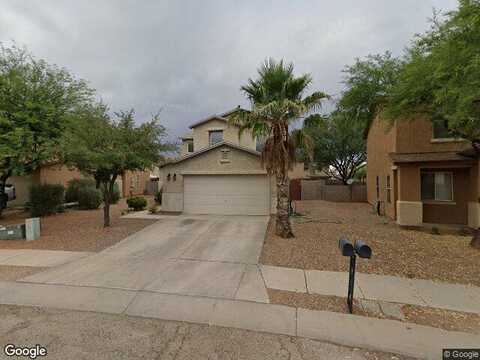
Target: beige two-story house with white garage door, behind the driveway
218,172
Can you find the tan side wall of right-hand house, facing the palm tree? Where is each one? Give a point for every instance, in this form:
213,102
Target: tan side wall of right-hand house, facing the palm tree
380,142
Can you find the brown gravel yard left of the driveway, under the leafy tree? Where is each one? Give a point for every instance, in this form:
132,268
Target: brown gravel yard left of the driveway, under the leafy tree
78,230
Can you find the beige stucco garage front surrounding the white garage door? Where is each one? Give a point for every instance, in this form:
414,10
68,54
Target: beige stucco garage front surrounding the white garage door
210,162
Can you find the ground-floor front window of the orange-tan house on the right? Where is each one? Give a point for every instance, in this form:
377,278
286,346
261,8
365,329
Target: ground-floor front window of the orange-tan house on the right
437,186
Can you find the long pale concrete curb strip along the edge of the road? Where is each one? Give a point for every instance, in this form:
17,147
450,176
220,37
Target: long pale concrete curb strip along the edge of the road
343,329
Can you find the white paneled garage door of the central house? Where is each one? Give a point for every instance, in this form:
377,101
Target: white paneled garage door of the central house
226,194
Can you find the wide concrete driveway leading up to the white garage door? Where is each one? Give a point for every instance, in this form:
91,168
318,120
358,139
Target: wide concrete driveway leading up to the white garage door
214,256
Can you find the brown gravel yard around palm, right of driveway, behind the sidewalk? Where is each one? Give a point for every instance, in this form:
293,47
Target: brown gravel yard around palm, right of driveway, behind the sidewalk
399,252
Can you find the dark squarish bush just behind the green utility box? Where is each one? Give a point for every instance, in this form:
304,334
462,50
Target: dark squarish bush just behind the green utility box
46,199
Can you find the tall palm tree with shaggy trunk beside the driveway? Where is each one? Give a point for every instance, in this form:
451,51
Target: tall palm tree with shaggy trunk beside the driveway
277,101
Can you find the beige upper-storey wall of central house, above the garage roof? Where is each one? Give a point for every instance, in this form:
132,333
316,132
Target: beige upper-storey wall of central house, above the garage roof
230,134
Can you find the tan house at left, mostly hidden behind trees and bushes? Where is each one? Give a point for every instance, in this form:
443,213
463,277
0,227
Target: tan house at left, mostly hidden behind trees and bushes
132,183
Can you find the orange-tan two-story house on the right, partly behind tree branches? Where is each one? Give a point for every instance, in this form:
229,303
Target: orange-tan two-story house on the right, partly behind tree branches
416,174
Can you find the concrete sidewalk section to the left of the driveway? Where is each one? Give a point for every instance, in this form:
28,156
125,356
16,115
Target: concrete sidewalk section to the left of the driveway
39,258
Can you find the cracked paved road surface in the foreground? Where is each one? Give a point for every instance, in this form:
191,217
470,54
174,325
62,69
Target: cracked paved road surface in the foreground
84,335
